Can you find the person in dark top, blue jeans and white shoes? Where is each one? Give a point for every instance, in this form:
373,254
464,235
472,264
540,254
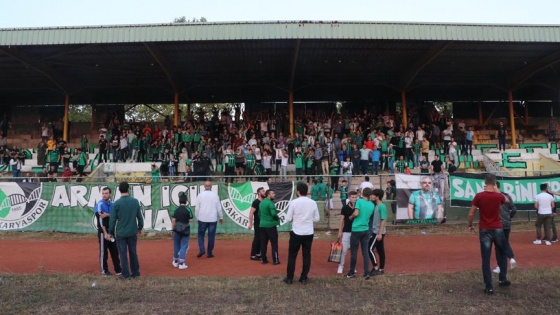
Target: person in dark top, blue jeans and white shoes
180,227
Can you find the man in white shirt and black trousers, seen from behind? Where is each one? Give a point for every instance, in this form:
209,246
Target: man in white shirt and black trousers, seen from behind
302,212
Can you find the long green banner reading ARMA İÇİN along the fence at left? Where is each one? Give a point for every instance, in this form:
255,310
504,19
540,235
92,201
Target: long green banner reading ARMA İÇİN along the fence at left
65,207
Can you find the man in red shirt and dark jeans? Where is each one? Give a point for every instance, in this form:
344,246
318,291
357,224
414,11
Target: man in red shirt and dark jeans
491,231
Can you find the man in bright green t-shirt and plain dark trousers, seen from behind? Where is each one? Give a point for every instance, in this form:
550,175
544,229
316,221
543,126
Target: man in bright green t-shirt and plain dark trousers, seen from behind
363,211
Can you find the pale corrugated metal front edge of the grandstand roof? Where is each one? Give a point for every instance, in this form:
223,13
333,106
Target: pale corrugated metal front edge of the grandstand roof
279,30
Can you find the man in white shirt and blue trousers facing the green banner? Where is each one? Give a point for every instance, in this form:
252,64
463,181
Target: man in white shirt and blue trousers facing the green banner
207,210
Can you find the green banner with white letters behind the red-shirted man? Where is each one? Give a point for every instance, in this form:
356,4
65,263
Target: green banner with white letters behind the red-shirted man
463,188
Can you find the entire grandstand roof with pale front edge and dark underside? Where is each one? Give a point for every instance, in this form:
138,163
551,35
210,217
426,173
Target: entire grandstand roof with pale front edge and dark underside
236,62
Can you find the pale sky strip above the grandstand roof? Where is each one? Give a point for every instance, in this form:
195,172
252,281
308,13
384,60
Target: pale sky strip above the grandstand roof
50,13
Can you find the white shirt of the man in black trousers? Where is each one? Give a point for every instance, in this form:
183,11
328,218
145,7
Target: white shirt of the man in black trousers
302,212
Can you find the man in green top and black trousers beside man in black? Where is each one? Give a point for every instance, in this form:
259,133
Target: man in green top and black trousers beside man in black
269,220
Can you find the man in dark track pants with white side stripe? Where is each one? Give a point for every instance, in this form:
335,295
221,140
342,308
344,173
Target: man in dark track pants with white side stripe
378,232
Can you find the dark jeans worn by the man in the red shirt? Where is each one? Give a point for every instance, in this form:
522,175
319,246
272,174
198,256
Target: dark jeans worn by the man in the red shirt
498,238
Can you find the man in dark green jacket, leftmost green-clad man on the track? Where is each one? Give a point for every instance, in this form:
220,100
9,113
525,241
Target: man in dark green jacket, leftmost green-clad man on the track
127,219
